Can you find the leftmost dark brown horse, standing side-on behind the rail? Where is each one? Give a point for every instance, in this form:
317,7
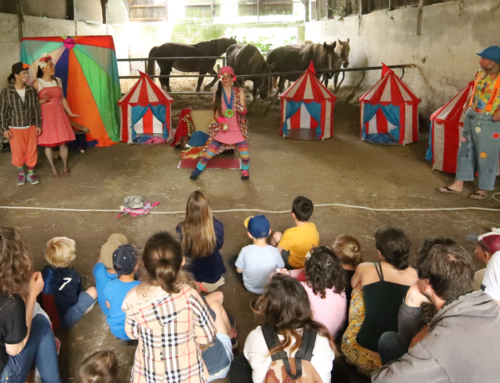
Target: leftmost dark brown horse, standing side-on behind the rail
214,47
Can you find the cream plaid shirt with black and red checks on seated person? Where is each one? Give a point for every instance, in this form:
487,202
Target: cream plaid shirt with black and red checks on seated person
170,329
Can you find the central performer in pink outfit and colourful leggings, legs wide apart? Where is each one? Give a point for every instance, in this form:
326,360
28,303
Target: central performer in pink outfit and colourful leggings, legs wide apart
229,129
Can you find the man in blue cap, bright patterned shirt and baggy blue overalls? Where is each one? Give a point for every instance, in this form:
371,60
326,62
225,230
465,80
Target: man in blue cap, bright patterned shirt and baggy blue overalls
480,140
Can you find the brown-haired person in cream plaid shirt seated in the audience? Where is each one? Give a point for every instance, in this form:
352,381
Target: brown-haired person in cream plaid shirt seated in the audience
168,317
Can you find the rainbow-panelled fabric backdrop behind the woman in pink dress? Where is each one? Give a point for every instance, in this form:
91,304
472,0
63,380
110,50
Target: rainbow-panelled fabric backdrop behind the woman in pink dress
89,73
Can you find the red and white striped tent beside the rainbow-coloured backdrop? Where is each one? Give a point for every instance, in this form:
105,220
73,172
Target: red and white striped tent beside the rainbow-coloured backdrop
145,110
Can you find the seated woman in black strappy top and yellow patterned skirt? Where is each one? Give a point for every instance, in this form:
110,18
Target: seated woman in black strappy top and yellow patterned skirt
379,289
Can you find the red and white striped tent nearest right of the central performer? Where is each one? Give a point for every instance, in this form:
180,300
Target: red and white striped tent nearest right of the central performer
307,104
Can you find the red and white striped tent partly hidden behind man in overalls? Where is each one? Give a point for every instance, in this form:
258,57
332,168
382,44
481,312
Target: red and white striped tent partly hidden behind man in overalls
446,129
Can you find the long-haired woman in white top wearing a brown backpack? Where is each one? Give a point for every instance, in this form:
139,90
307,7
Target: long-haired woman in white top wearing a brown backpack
285,307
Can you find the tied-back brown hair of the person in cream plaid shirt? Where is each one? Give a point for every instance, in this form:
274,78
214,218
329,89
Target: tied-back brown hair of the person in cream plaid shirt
162,261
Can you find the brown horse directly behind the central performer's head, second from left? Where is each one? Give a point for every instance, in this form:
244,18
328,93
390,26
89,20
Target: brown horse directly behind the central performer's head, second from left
246,59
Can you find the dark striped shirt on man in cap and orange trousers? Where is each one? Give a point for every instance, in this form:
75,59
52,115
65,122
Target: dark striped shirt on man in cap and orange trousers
14,112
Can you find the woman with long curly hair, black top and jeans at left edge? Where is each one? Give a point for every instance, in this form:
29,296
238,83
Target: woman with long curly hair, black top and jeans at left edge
26,337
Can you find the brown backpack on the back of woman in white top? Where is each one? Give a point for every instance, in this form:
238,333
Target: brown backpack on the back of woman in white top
288,370
